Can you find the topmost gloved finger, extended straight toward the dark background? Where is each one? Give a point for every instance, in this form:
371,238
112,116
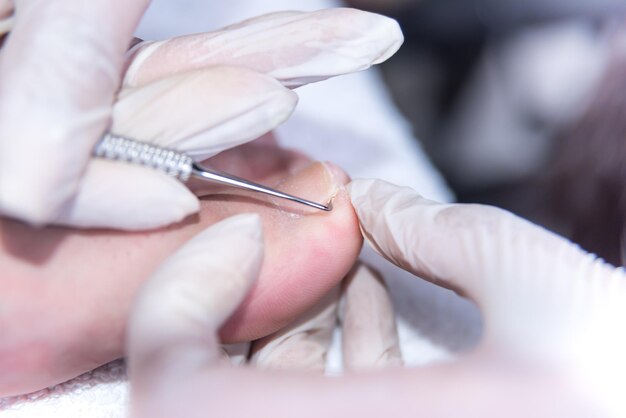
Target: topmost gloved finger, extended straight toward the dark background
296,48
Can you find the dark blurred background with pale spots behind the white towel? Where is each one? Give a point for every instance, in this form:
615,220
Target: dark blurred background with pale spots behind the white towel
521,105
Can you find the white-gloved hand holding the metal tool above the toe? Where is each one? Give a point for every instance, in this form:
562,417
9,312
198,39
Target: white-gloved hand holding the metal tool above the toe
61,67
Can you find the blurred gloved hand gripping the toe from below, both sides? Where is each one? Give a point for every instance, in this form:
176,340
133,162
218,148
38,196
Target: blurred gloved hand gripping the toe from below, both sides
552,344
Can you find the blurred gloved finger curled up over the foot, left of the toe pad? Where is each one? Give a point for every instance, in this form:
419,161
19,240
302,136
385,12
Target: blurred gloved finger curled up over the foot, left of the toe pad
173,326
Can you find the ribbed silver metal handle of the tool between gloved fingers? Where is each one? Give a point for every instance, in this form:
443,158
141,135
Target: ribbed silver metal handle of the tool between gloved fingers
113,147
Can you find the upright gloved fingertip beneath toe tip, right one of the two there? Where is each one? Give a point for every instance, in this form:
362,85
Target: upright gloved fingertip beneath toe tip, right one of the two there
368,322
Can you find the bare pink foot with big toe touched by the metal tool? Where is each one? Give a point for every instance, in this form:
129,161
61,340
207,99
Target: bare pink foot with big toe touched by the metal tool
65,294
